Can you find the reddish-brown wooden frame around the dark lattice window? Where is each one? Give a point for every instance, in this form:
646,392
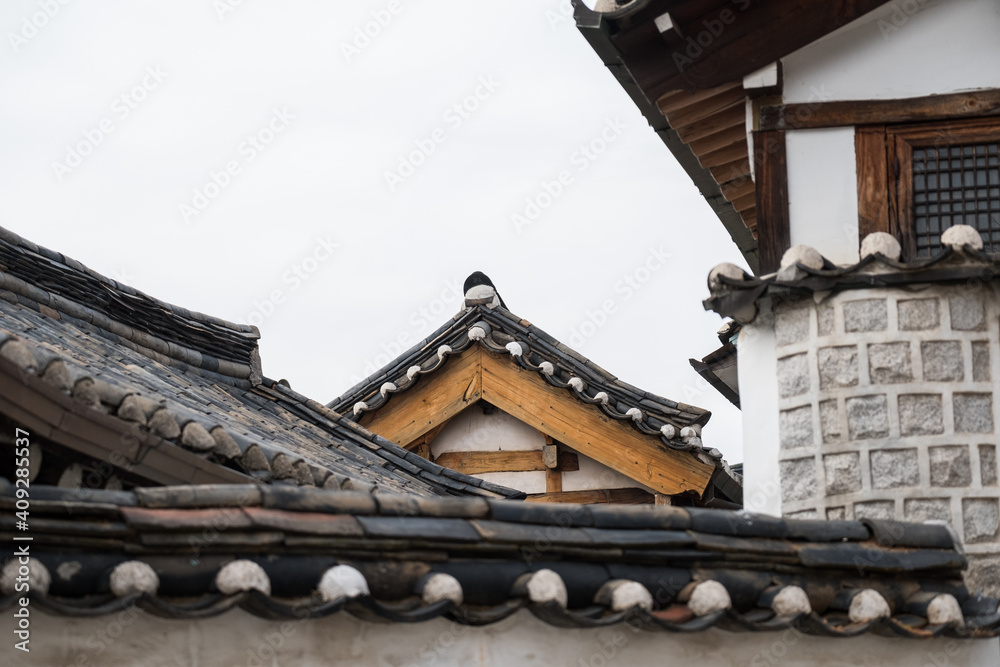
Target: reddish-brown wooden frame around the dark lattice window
885,170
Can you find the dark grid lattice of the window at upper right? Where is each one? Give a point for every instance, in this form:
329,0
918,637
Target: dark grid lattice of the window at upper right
956,185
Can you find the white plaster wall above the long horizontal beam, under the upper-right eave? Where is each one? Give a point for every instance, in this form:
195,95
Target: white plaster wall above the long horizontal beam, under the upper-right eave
907,48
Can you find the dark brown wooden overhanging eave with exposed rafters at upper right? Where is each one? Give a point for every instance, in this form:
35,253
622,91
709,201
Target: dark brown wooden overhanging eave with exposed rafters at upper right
683,63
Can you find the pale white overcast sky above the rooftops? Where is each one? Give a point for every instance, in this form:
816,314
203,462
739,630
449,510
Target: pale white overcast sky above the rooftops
332,172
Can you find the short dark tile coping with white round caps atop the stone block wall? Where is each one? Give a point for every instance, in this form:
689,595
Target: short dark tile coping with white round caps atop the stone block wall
805,271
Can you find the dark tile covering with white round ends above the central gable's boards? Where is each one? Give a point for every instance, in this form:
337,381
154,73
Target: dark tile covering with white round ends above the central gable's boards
496,329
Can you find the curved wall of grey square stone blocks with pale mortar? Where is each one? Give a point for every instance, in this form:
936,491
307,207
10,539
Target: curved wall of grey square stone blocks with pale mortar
887,409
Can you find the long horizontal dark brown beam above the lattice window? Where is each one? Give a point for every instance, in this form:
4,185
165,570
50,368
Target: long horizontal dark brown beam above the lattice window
866,112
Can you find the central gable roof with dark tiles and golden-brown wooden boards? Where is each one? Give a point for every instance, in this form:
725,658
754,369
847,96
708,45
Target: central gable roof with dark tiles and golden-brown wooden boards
498,356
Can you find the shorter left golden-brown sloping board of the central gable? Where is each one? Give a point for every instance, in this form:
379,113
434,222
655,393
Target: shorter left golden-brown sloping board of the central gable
439,397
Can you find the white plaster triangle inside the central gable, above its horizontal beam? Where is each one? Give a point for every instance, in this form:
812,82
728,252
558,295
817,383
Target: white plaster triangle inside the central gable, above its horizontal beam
472,430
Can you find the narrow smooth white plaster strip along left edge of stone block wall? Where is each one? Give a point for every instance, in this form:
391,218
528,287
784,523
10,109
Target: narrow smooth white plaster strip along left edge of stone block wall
758,373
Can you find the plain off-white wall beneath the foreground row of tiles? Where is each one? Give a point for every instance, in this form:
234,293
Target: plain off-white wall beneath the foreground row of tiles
238,639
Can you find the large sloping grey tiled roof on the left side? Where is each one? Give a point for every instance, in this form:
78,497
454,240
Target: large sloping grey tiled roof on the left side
106,371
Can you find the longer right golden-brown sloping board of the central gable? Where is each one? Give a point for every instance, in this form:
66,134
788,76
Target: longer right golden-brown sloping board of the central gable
526,396
